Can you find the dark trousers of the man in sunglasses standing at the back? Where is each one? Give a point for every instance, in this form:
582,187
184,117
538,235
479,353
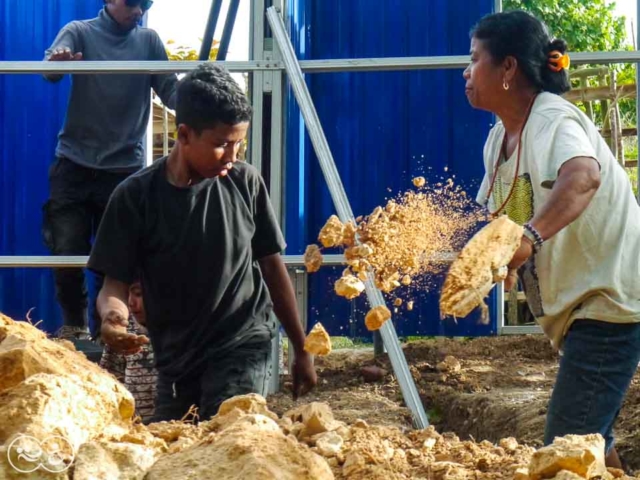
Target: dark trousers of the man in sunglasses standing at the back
71,216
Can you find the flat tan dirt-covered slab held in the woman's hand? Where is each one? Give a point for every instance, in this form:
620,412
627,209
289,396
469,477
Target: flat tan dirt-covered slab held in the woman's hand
471,275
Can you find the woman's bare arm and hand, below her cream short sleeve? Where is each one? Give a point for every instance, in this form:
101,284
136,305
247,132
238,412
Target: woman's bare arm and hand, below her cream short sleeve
577,183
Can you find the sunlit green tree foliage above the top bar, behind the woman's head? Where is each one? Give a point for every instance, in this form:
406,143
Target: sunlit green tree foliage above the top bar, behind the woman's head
586,25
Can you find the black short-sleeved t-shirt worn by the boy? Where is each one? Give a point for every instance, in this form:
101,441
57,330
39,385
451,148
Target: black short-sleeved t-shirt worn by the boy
196,249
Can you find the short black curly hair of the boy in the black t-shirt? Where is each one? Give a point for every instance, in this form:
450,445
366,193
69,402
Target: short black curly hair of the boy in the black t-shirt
208,96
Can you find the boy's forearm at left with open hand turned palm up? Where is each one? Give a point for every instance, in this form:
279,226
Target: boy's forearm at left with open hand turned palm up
113,310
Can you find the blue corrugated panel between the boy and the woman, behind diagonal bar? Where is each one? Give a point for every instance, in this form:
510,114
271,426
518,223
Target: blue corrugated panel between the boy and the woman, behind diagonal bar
383,128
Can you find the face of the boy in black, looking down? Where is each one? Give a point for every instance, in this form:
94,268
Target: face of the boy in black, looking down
213,152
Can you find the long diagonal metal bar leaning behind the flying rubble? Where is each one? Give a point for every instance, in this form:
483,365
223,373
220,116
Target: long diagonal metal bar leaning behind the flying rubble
319,141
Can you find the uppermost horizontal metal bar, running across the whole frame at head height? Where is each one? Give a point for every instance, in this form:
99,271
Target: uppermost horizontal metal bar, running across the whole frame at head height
307,66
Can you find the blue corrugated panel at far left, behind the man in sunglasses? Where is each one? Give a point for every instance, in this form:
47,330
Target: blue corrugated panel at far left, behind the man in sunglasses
31,113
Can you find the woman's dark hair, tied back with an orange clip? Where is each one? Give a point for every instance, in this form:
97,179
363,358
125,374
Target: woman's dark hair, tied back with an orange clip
520,35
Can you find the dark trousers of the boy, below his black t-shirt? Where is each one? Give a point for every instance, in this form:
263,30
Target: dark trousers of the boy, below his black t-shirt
245,369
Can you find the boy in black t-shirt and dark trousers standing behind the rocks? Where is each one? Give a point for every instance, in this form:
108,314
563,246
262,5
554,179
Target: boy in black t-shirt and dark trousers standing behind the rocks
199,226
